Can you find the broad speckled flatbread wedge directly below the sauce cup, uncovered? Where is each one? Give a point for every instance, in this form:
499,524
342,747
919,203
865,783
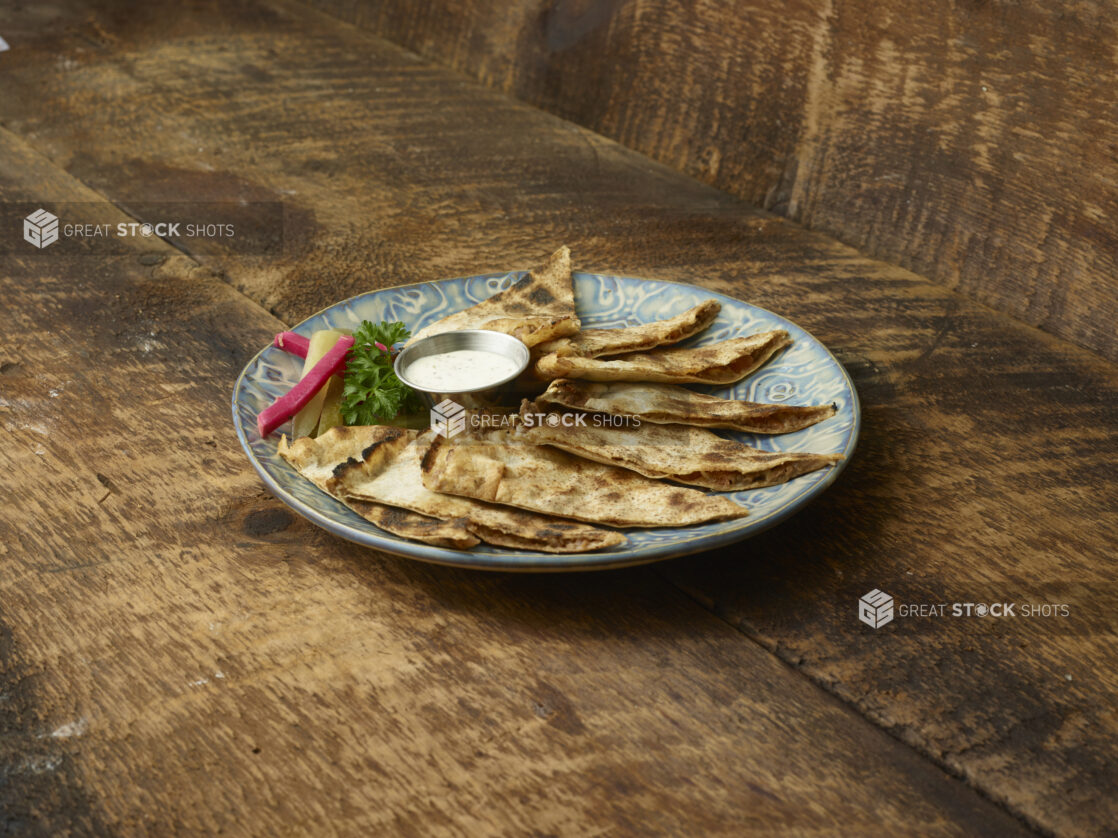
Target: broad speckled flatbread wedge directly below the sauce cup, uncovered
499,469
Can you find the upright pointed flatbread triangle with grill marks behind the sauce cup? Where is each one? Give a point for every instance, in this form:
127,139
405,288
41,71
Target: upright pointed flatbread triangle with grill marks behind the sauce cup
539,308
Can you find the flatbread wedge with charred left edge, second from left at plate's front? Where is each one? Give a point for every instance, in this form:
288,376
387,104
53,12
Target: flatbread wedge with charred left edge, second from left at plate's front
392,475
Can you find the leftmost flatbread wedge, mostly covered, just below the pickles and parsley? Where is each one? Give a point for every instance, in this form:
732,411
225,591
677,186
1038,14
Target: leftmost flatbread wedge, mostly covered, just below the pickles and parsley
318,459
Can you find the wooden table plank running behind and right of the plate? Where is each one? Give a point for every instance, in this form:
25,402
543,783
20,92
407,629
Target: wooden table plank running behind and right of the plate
984,463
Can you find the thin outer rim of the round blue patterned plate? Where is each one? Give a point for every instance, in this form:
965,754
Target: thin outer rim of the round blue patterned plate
514,560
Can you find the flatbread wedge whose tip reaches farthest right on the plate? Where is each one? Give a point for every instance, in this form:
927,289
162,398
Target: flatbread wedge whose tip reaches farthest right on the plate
695,456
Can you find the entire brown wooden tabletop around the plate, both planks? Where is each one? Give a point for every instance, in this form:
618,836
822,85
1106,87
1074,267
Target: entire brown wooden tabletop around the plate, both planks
181,654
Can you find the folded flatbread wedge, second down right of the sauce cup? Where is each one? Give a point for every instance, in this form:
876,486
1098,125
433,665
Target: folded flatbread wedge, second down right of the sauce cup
717,364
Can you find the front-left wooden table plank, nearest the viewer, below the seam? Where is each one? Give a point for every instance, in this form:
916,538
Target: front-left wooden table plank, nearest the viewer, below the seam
182,654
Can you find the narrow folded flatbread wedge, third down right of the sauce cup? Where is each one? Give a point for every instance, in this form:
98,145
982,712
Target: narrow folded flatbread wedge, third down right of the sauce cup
668,404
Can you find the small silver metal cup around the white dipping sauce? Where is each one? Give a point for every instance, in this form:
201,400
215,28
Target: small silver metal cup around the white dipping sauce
497,394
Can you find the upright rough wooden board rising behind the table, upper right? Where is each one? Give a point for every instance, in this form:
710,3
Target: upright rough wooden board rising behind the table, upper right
969,142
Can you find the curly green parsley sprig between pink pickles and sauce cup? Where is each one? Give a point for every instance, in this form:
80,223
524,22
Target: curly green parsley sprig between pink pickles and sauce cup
372,394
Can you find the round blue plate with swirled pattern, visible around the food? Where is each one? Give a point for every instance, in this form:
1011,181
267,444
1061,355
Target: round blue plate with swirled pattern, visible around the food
806,374
